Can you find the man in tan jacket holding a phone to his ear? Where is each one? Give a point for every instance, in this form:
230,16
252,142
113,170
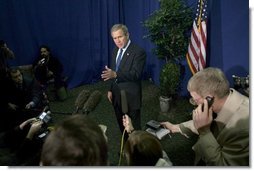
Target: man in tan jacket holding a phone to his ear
223,140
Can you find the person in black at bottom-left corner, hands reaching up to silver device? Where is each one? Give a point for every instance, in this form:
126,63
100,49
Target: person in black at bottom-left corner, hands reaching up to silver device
22,143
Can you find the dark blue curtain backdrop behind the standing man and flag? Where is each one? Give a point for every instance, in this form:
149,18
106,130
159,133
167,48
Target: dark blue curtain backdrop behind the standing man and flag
78,32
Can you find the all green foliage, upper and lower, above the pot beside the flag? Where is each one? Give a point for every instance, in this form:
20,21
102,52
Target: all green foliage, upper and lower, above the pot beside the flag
167,29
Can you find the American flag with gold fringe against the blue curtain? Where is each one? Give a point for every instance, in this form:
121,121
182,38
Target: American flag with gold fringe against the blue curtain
196,55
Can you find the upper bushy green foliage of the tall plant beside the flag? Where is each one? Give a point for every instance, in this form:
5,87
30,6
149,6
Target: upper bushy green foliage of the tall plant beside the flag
168,27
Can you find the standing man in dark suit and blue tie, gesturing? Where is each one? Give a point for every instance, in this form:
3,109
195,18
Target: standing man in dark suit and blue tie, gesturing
128,61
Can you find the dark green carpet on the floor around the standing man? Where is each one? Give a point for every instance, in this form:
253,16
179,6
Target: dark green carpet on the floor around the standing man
177,147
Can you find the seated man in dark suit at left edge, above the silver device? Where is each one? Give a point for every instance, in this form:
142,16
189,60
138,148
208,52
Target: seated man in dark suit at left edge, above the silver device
25,100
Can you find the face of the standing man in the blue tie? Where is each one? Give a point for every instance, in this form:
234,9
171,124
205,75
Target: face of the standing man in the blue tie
120,38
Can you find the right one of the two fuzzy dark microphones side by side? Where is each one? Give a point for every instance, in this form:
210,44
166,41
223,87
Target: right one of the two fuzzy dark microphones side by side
92,102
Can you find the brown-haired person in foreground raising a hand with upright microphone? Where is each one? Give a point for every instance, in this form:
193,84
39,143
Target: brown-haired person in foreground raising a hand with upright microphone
143,148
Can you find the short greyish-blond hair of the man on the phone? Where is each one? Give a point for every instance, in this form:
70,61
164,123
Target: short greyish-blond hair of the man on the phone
209,81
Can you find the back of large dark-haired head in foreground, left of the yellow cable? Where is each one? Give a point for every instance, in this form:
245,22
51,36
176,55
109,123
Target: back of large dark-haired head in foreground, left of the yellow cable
76,141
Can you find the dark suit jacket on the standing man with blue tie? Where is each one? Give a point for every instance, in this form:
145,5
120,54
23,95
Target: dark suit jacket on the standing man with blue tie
129,76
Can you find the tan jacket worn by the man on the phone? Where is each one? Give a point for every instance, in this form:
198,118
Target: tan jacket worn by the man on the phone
231,146
